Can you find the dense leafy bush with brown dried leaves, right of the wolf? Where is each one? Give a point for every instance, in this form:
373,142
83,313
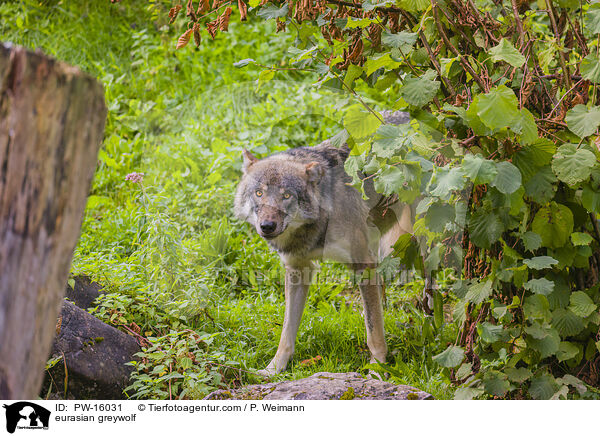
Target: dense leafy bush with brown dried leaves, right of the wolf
503,149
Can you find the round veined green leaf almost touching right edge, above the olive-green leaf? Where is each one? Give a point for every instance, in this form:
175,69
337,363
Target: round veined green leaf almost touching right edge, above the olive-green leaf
572,165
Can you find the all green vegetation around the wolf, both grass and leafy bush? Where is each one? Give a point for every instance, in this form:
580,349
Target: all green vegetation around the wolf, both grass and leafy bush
502,148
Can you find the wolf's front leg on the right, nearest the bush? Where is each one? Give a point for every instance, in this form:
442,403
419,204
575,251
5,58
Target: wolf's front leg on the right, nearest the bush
370,291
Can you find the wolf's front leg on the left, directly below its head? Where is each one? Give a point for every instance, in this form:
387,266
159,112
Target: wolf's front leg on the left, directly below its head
297,282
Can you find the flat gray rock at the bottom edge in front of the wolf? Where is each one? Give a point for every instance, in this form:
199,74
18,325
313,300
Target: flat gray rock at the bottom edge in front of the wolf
324,386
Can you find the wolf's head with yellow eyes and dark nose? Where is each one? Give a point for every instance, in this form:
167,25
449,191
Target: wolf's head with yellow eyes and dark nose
278,193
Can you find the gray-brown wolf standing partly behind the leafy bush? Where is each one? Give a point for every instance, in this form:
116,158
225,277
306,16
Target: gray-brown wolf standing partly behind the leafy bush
301,203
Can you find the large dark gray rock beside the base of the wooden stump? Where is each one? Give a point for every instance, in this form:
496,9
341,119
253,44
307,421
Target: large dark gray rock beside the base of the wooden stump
95,355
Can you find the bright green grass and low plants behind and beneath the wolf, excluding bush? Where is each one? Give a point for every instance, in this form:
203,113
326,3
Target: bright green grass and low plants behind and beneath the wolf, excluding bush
172,255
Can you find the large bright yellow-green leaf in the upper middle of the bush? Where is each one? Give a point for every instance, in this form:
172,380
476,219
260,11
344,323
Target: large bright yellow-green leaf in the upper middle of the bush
498,108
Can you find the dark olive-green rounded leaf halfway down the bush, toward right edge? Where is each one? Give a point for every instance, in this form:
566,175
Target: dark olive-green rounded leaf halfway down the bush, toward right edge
554,223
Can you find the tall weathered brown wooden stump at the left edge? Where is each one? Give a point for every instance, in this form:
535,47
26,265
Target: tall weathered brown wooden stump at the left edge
51,125
